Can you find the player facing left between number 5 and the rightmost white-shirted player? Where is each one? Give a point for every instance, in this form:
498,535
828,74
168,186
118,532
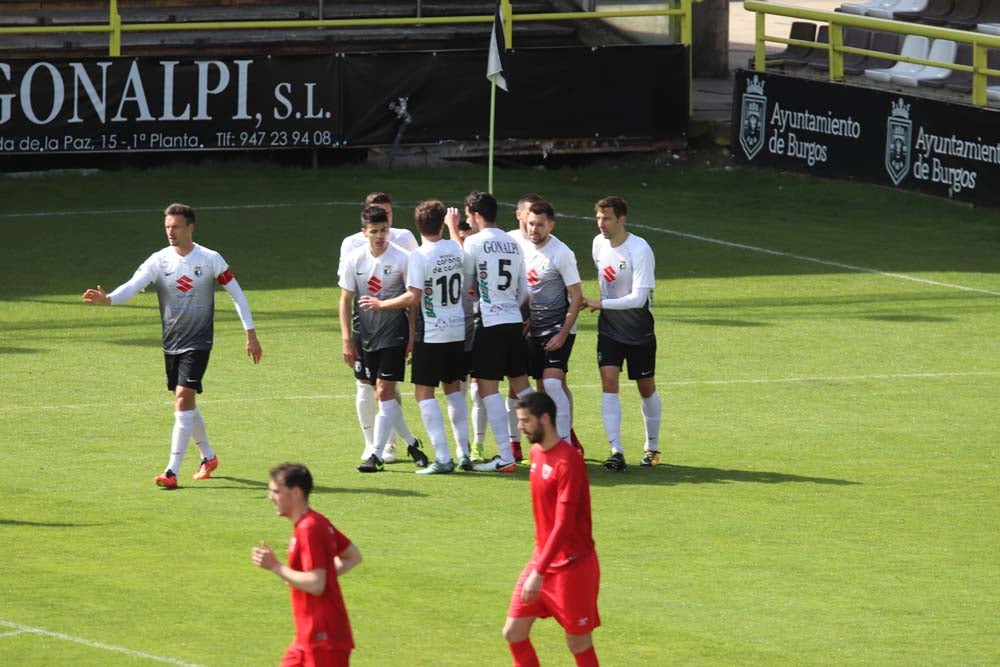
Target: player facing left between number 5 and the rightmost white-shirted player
554,300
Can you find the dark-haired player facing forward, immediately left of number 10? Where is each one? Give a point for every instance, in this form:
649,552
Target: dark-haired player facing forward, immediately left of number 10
382,339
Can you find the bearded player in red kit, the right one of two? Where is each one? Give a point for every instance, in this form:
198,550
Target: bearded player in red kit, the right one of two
563,577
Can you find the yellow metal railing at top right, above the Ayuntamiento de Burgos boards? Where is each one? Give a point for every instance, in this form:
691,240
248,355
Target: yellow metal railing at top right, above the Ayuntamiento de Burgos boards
837,21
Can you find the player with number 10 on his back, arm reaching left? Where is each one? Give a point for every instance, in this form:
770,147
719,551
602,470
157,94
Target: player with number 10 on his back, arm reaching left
434,283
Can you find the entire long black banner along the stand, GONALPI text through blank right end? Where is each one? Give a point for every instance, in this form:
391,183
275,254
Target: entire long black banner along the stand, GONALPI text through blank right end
122,105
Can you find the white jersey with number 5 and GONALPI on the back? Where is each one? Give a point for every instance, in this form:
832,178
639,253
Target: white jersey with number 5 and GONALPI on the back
495,263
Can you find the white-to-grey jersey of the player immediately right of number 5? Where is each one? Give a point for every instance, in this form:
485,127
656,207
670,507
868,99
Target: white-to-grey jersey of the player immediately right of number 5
549,271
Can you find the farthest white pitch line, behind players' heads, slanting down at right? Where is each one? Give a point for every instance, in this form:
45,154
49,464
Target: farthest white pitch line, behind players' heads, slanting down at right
661,230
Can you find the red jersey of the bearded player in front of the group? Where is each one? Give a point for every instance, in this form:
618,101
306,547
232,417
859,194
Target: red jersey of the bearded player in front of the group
560,500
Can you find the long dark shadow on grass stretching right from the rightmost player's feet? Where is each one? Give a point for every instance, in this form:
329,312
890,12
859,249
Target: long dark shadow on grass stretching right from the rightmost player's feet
670,475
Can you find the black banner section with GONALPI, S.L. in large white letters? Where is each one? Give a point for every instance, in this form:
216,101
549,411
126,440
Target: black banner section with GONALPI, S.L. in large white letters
159,104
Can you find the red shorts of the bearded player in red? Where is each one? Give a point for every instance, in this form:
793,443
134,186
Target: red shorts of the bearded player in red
569,595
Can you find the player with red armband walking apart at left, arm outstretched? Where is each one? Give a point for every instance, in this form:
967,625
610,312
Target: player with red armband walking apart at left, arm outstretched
185,274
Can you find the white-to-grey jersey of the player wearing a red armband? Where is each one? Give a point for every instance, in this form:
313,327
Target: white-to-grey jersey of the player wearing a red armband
185,288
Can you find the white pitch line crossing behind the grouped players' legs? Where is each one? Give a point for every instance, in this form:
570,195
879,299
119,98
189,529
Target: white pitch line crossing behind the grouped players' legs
667,383
